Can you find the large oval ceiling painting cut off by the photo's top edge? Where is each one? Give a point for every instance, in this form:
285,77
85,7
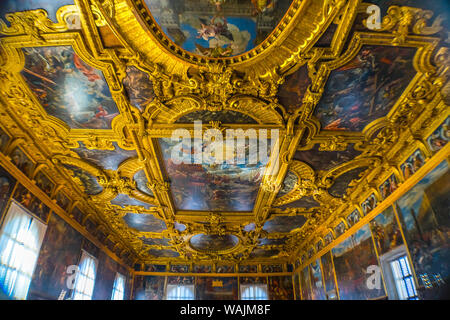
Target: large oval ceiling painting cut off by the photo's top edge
218,28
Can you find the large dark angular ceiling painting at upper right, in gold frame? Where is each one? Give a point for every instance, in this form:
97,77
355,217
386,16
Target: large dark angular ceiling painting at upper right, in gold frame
366,88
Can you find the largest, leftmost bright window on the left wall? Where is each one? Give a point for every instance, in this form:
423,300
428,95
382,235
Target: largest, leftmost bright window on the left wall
20,241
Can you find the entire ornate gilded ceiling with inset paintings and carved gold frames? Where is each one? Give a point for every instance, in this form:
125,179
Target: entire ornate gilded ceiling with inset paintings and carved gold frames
91,91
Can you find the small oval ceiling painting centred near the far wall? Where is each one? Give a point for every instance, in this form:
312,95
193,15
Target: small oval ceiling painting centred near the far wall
213,242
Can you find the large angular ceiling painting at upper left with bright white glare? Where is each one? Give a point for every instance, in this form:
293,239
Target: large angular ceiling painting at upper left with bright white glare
68,88
